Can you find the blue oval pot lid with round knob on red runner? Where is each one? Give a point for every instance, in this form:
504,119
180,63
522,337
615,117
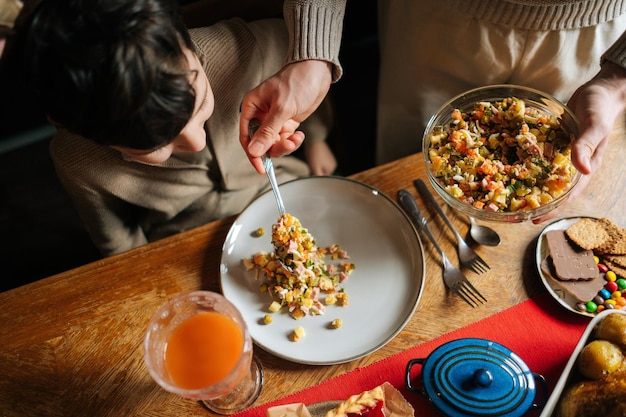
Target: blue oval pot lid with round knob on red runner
477,377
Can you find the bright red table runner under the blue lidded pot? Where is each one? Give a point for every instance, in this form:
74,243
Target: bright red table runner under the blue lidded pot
539,330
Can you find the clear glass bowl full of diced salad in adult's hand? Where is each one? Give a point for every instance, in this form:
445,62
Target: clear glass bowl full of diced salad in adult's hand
485,191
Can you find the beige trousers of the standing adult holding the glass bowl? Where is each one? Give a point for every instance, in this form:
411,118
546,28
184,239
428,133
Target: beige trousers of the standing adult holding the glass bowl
429,54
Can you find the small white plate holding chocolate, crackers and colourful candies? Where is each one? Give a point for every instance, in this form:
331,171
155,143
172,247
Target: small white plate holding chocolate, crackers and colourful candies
567,269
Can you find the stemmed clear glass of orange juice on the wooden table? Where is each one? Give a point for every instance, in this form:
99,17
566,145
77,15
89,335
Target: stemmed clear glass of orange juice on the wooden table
198,346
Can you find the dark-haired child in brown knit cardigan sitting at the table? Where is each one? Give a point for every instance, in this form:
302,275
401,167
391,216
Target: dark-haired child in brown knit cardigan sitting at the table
148,113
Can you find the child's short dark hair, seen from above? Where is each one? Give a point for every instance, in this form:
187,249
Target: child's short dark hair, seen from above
113,71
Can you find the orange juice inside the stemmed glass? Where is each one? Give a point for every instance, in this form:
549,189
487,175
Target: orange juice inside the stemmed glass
203,350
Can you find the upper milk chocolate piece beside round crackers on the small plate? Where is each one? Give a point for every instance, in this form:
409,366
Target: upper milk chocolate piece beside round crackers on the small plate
570,262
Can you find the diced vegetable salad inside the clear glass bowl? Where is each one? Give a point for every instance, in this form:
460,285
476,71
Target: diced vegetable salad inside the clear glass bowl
502,156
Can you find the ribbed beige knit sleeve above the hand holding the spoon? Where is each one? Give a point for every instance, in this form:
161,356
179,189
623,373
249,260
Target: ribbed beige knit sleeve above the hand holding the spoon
315,28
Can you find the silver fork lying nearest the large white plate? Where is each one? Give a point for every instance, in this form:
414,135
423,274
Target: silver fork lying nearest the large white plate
452,276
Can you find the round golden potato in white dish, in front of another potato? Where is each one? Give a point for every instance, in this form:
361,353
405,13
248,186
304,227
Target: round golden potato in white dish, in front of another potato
599,358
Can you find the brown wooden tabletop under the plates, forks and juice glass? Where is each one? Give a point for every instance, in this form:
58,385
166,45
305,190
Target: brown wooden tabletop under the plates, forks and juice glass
71,344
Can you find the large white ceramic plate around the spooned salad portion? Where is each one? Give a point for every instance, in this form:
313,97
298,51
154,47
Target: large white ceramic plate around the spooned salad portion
383,290
